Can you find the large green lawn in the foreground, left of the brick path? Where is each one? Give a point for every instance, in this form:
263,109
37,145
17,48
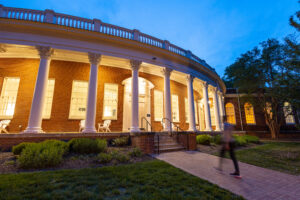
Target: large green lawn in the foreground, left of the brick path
146,180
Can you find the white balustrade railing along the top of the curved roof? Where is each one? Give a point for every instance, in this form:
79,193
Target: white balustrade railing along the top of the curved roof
94,25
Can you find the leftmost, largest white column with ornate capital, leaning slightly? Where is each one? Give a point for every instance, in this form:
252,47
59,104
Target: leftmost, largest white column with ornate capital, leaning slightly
35,118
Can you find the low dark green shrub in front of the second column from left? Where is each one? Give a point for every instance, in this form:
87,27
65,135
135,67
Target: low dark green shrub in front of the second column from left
87,146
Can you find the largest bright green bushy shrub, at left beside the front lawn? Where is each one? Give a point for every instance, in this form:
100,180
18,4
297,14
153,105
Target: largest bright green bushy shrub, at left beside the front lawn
42,155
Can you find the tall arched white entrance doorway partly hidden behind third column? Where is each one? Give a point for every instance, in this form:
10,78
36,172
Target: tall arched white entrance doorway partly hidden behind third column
145,87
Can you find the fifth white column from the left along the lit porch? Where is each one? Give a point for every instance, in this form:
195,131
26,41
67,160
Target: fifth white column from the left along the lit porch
192,124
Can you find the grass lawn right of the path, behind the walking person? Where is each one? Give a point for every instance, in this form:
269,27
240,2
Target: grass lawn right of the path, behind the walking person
281,156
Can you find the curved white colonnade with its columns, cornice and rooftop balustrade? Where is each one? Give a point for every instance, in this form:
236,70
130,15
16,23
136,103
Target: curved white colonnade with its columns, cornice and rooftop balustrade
47,35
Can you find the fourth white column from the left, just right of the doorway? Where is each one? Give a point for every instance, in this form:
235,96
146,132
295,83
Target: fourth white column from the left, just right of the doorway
167,96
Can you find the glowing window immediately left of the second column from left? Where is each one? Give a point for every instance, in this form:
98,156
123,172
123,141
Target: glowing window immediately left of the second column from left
78,100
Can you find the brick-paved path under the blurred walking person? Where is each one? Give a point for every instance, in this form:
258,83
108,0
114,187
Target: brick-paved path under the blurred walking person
257,183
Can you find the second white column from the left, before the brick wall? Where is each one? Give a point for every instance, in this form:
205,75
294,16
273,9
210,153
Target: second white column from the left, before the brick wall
92,94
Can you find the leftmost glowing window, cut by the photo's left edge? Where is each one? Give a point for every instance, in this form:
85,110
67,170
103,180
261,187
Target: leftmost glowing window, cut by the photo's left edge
8,97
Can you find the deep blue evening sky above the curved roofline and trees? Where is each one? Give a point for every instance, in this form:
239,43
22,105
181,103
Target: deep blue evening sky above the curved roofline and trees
217,31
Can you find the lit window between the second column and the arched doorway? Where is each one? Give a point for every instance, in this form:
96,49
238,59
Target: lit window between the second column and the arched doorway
110,104
